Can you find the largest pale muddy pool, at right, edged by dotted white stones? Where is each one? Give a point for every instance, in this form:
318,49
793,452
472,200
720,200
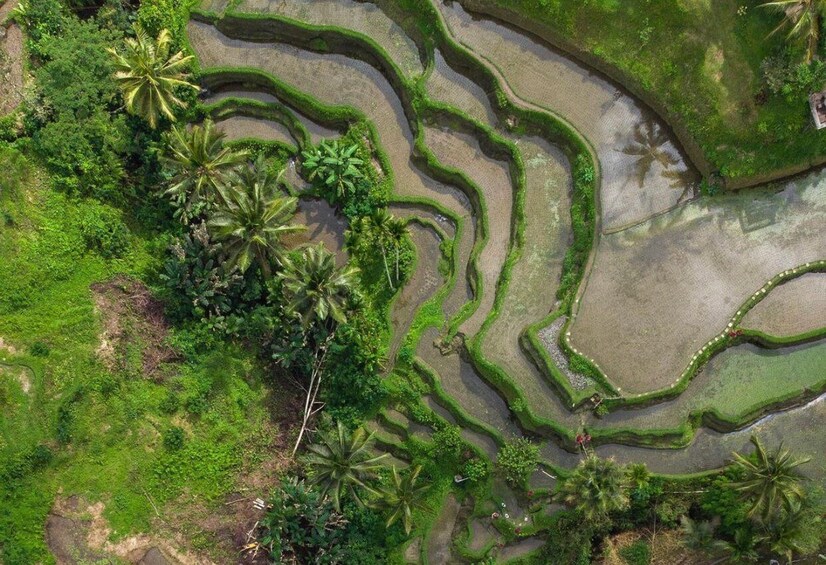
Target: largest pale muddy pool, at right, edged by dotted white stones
658,292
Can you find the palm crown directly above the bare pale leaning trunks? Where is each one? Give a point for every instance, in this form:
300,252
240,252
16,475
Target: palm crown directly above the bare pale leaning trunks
317,290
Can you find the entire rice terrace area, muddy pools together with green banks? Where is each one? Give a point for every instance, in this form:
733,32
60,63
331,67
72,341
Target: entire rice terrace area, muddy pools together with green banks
673,279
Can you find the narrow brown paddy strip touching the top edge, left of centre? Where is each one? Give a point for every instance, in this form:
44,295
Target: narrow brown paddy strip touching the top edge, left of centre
363,17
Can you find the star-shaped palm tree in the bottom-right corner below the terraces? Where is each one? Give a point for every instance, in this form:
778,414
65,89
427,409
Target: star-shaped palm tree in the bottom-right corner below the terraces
770,480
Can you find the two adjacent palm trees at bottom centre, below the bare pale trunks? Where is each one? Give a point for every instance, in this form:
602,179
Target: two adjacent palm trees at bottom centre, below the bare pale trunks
342,463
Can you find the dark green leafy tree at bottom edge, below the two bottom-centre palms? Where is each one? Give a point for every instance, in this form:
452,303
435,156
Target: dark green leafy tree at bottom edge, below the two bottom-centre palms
301,526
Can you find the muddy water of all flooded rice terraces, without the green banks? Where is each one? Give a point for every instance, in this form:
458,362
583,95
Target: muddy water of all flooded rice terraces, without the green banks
669,270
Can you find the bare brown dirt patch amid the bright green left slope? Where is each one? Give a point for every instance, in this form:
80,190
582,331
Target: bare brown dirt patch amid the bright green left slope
131,318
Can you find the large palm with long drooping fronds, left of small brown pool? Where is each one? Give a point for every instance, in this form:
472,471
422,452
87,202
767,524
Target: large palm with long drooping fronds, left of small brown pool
253,218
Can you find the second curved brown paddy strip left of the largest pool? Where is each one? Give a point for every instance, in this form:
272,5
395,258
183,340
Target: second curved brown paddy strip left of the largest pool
492,177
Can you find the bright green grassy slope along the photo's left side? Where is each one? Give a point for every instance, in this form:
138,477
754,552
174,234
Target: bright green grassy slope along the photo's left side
103,428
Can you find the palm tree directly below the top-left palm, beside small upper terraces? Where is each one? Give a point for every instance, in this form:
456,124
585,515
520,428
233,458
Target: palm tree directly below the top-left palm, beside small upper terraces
200,164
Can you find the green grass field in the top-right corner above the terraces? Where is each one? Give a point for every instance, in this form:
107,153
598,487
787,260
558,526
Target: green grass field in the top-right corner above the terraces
700,60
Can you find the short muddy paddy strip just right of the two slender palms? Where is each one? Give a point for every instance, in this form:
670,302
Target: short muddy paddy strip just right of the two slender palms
421,286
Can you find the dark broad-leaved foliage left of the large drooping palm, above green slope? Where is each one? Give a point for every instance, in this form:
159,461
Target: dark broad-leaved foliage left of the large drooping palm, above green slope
198,283
